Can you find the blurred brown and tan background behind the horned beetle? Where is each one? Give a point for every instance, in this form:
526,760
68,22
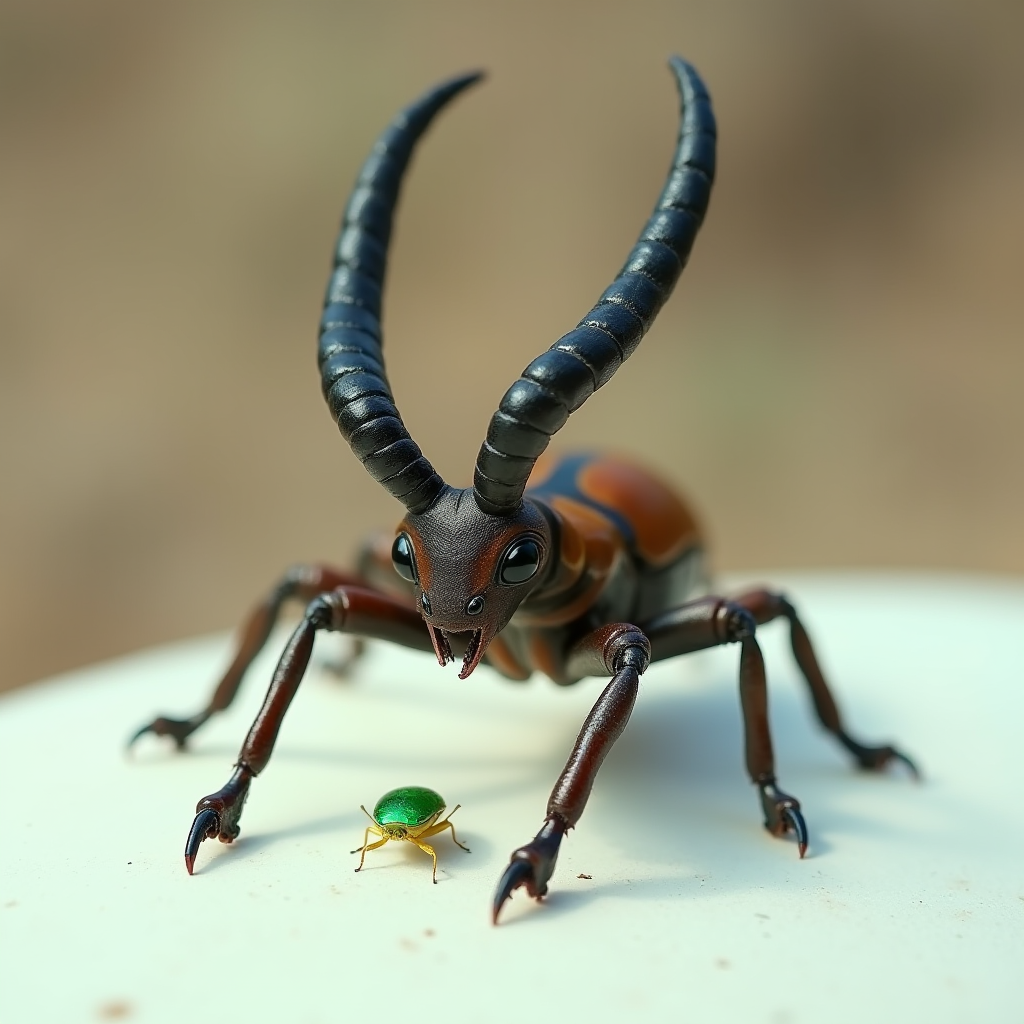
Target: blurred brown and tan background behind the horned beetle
837,381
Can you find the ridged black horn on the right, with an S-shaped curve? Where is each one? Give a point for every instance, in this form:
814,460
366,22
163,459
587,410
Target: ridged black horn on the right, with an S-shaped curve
559,382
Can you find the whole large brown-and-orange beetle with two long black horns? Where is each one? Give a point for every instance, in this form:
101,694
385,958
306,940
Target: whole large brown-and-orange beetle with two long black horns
586,566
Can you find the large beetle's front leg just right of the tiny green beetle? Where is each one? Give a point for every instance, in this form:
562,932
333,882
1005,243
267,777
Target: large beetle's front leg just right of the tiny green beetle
624,652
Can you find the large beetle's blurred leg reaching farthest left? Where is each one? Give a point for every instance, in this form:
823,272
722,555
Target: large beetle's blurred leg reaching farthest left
302,582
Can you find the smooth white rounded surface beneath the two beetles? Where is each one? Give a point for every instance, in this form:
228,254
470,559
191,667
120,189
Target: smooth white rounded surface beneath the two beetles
910,907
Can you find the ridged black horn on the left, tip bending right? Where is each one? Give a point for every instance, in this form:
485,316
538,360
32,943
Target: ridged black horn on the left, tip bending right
352,365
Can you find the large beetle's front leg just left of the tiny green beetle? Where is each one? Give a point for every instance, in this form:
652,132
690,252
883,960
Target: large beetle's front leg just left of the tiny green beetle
348,610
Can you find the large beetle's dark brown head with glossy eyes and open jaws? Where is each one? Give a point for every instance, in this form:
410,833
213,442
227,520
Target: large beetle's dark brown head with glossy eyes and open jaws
472,570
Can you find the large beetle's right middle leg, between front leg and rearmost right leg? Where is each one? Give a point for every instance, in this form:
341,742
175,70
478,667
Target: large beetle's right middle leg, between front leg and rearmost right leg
709,623
